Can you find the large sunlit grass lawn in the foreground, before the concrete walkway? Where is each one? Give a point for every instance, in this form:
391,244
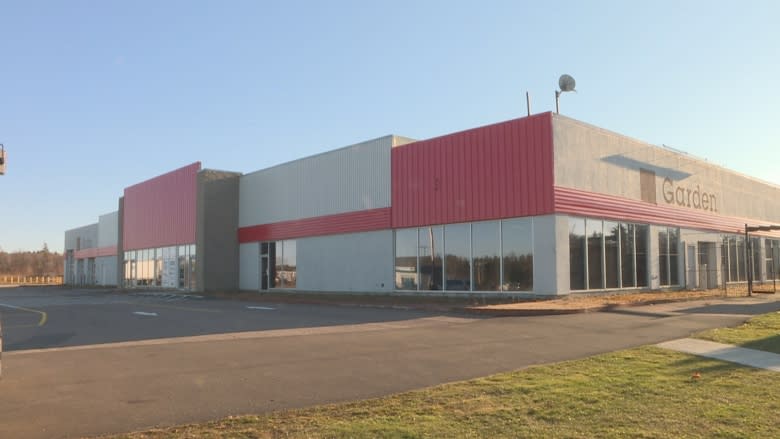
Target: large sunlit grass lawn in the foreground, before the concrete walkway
638,393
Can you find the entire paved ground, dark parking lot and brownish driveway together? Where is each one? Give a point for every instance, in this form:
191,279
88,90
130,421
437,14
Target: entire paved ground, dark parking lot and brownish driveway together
178,361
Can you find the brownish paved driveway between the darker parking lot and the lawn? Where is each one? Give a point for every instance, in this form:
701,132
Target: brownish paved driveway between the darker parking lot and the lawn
95,389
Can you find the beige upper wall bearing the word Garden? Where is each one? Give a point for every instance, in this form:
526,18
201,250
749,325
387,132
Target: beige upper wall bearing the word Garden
592,159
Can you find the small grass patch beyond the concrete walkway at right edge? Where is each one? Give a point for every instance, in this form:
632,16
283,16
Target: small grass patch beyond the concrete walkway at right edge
761,332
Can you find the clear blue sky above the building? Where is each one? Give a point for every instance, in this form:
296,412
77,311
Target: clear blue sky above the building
96,96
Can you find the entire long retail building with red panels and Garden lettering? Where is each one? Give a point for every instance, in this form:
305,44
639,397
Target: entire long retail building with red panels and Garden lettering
542,205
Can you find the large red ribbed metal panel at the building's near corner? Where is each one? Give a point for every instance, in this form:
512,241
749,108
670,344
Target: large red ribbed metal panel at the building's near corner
497,171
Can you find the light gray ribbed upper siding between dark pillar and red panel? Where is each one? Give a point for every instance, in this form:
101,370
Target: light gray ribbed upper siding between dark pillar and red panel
345,180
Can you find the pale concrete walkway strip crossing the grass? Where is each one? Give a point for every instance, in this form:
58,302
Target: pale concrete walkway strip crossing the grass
725,352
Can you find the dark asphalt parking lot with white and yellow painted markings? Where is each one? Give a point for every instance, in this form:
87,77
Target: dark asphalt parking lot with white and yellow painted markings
51,317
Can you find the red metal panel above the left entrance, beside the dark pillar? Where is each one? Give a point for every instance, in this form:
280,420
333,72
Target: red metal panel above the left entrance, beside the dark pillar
161,211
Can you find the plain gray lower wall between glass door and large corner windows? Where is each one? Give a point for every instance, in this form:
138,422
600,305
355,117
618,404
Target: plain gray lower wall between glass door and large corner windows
361,262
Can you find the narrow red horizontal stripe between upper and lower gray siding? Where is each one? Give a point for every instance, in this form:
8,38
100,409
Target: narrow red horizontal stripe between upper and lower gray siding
350,222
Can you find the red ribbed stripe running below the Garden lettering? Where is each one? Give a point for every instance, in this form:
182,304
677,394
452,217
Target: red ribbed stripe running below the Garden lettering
577,202
